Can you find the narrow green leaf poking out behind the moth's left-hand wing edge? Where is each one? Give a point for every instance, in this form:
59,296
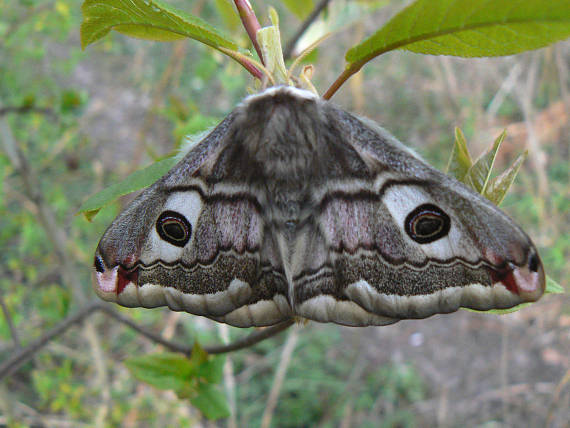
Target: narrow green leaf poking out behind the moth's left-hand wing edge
135,181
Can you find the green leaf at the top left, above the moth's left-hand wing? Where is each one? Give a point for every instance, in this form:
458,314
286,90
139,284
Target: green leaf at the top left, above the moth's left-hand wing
146,19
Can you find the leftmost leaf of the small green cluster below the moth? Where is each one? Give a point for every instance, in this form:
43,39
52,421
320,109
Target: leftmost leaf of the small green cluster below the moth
163,371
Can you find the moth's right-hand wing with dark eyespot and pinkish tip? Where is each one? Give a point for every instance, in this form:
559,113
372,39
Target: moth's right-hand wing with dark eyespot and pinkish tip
410,243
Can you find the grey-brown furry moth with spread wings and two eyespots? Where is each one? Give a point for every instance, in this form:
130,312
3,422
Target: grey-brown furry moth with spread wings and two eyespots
293,207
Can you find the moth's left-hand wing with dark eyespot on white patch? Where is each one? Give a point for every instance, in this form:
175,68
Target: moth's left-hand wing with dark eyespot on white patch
186,244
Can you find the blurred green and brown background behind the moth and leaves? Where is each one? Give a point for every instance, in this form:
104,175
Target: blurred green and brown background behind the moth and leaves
83,120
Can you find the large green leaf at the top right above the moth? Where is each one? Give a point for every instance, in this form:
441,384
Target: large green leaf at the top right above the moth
468,28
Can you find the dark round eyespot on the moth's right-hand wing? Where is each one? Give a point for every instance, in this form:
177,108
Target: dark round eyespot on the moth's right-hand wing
427,223
